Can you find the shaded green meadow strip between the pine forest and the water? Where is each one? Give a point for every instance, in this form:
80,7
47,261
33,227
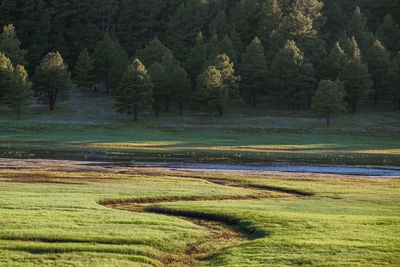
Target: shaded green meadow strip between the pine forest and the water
79,129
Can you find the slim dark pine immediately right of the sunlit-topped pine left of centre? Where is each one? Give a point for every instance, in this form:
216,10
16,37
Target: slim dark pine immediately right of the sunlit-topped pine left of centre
159,78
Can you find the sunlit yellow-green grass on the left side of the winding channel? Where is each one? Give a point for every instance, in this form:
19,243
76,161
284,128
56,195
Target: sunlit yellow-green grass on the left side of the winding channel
53,218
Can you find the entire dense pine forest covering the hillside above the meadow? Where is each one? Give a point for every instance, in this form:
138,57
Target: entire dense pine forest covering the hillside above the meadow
327,55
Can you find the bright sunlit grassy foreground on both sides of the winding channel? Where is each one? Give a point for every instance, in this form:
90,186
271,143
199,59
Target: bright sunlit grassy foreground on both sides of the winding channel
54,217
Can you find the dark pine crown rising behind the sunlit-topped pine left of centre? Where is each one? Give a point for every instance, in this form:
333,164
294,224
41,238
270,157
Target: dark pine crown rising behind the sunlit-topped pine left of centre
153,52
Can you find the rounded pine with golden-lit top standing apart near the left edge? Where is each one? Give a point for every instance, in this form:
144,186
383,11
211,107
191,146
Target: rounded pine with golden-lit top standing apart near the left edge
52,79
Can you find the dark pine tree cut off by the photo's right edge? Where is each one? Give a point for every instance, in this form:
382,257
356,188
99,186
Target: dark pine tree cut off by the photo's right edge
392,82
